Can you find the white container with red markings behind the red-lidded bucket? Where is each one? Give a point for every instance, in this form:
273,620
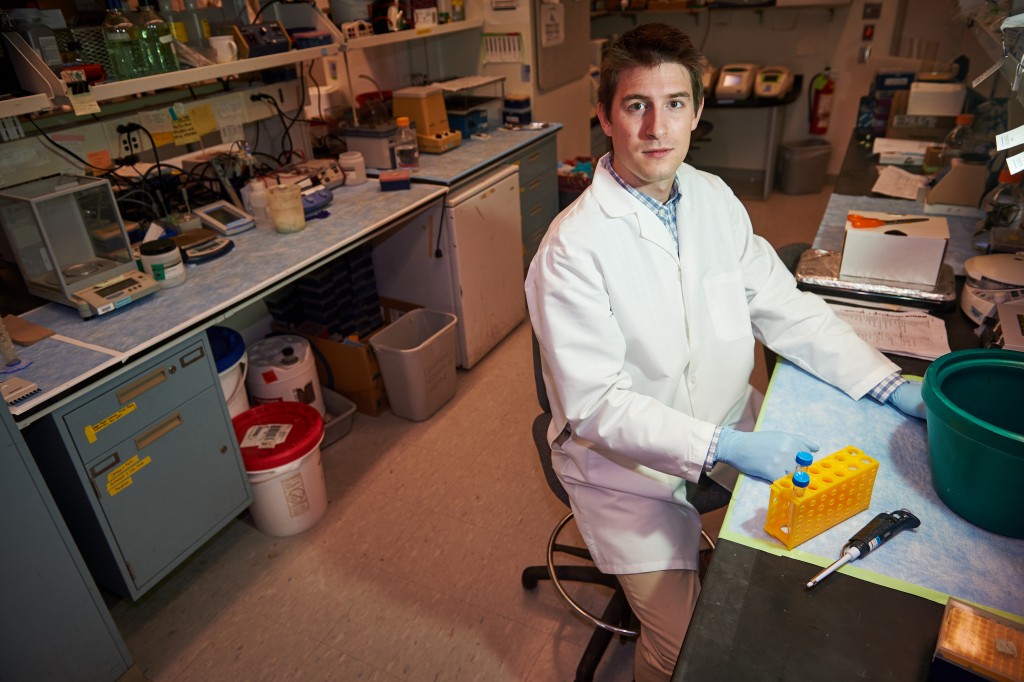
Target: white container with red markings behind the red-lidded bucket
283,369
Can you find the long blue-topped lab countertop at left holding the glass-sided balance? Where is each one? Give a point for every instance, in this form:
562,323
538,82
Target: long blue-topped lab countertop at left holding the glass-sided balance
262,262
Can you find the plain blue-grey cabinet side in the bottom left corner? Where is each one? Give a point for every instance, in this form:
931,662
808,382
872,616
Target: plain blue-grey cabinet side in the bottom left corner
56,625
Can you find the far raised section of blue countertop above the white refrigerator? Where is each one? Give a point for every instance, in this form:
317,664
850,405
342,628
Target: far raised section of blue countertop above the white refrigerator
475,155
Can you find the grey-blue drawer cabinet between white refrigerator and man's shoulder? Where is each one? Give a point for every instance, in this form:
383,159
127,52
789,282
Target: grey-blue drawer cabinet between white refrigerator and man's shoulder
538,192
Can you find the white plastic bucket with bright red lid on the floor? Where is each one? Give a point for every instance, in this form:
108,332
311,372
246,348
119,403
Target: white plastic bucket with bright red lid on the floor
287,477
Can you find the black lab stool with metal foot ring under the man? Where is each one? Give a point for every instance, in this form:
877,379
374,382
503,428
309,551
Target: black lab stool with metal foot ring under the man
618,618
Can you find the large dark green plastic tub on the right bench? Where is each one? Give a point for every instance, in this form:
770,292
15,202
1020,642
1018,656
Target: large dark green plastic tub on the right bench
976,437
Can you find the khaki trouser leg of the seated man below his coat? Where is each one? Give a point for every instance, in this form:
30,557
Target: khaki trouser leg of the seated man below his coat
663,601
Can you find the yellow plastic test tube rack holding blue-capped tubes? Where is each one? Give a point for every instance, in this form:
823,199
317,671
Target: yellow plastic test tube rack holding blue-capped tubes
841,487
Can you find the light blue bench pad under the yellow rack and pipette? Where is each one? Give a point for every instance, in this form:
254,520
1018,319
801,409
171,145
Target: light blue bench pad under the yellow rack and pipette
946,557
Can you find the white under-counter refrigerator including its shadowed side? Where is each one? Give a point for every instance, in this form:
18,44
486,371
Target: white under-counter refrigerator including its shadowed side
465,260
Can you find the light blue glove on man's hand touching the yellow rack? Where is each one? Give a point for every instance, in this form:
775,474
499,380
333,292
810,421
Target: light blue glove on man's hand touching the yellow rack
766,455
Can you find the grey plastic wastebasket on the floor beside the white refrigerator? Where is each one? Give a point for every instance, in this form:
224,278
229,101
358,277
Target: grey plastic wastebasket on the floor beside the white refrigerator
417,358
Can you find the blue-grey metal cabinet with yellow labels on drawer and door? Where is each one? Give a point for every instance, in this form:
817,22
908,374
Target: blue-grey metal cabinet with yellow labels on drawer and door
146,468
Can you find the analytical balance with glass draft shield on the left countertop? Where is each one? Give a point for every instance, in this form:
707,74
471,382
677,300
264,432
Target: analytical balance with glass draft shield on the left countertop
71,244
